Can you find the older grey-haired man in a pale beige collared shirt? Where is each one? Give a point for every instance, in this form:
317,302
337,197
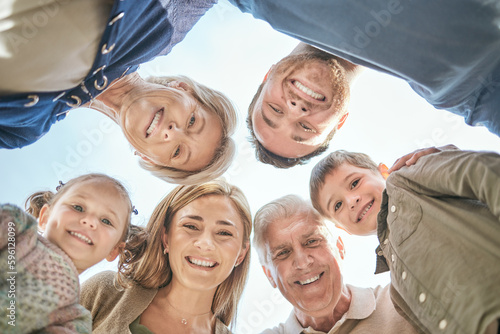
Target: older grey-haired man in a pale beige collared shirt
299,256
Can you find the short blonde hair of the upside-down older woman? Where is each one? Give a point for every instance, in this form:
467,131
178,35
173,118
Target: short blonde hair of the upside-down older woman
218,104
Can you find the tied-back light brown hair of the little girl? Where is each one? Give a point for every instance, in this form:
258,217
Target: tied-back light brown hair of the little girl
36,201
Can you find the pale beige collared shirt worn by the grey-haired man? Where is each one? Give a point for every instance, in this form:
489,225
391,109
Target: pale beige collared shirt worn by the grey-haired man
371,311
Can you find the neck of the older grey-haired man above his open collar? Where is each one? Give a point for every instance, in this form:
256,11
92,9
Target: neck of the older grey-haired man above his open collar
324,320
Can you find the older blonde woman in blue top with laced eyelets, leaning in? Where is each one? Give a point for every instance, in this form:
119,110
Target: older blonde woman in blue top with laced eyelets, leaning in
54,59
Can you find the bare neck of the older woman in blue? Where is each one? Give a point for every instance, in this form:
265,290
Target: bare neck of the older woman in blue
111,101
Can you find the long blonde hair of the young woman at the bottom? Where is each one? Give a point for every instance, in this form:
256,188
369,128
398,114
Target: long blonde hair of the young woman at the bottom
144,263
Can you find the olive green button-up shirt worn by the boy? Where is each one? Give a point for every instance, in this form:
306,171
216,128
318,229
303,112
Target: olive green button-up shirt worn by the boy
439,235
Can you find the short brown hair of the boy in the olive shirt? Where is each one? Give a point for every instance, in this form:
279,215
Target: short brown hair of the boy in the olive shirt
328,164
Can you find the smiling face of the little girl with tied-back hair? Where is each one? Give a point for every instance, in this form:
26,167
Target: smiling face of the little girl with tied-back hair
87,222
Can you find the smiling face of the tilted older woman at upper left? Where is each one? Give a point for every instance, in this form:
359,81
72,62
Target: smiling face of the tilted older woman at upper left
168,127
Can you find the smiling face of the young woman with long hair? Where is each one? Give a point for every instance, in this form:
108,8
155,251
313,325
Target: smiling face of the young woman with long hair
205,242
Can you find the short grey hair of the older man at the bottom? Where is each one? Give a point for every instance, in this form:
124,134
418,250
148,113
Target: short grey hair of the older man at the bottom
282,208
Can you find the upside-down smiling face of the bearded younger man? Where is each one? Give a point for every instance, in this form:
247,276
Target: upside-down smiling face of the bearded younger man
300,105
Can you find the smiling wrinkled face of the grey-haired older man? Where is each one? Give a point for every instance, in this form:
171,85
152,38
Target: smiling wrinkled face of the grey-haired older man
301,263
